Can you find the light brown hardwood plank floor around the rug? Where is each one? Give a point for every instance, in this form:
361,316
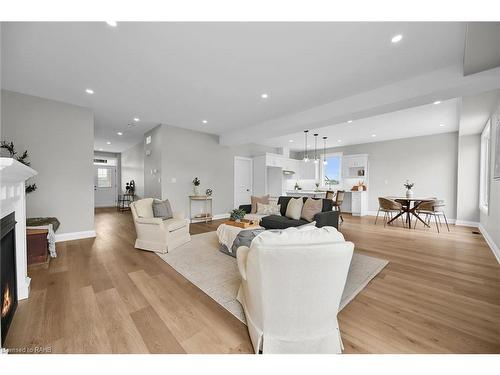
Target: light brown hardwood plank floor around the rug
440,293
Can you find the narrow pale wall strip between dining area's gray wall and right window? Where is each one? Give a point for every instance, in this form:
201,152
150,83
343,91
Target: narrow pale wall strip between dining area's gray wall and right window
469,147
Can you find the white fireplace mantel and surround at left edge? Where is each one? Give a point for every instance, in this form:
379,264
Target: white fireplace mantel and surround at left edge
13,175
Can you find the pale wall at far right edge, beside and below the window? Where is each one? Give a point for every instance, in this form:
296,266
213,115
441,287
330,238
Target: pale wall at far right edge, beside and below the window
490,223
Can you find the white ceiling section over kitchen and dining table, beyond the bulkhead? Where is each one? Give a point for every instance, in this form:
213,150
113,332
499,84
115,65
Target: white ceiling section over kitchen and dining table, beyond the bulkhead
412,122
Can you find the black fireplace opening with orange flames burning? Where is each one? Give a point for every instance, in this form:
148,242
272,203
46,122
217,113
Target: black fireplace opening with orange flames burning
8,279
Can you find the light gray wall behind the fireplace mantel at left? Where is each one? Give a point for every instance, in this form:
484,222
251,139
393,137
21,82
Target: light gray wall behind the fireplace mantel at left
60,140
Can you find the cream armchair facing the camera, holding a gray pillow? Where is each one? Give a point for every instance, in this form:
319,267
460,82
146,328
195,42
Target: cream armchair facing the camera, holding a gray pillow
156,234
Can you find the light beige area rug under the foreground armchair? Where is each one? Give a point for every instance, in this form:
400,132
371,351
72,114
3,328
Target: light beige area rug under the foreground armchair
201,262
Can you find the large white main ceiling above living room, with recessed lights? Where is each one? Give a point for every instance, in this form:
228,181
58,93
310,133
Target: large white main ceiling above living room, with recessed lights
182,73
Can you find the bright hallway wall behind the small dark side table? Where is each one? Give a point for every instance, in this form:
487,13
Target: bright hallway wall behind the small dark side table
132,168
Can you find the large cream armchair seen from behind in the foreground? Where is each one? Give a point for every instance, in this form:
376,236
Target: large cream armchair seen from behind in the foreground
292,283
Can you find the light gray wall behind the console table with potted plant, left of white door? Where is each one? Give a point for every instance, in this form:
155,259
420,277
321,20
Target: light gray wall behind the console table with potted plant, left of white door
187,154
